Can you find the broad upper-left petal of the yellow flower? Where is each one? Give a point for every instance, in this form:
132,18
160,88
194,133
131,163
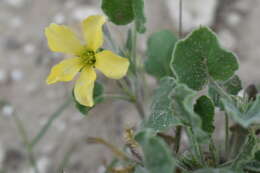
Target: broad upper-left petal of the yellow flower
62,39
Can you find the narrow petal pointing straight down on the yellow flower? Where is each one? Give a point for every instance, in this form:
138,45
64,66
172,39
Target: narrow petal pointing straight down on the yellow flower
84,87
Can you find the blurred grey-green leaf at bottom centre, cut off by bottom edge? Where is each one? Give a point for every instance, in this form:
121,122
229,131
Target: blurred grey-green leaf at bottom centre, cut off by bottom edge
157,155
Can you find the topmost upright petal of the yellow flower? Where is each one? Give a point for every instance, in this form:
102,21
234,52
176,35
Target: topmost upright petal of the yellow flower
92,29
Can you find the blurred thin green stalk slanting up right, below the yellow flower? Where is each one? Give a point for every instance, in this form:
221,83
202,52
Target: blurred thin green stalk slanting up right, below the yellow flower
52,118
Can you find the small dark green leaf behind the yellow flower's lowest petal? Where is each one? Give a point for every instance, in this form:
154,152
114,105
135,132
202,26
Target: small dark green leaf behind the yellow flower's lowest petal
98,92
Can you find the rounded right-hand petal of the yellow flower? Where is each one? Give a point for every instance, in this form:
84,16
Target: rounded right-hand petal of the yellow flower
112,65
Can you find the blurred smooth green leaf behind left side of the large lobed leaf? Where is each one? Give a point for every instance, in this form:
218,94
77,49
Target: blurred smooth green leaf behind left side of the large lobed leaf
160,46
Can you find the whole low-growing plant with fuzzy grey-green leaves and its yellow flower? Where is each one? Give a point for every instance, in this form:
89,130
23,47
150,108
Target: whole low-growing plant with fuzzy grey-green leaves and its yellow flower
196,79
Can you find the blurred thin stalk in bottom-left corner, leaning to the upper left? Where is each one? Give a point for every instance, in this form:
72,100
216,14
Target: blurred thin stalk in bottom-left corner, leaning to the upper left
26,142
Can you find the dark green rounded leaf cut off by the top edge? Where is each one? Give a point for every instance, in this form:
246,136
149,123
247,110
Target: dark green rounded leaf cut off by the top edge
119,12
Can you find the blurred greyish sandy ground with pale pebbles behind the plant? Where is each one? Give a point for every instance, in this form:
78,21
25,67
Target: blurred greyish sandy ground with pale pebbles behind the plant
25,62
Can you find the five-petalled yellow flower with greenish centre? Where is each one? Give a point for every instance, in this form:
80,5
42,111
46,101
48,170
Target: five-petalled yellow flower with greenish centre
85,57
